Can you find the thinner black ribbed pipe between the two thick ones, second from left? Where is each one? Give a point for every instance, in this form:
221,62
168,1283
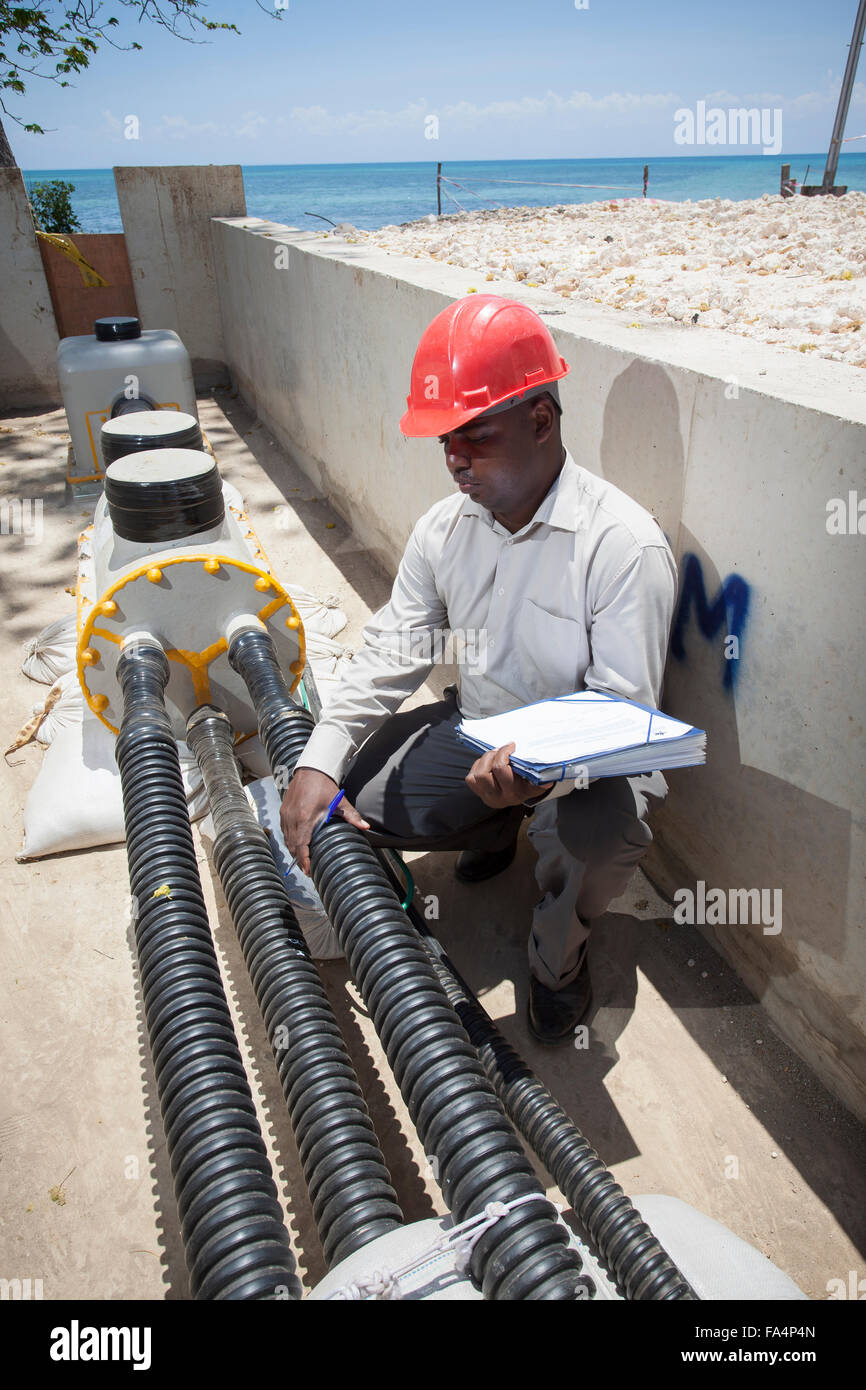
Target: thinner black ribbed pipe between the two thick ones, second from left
354,1202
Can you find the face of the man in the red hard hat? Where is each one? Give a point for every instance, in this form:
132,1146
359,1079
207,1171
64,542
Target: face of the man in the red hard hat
496,461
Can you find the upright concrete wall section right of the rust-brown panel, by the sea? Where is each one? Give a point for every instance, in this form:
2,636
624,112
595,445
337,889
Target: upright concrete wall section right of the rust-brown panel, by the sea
166,215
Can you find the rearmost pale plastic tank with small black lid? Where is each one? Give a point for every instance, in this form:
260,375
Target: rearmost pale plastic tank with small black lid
113,370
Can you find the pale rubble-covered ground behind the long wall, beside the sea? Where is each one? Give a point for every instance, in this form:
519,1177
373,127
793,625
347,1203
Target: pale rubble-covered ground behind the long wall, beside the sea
786,272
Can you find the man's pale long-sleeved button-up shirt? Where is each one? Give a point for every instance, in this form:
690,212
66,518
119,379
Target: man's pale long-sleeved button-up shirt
580,598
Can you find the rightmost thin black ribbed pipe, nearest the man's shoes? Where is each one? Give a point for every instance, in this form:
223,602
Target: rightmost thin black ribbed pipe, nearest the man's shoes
616,1229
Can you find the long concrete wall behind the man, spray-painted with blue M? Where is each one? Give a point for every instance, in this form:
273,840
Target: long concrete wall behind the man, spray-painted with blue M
737,448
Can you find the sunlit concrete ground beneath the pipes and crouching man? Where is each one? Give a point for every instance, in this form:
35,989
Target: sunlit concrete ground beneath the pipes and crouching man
686,1088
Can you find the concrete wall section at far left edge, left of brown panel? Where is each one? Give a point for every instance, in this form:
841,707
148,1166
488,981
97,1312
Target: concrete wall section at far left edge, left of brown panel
28,337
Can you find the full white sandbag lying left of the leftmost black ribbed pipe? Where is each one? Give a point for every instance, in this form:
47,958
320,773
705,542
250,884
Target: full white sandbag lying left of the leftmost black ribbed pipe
77,801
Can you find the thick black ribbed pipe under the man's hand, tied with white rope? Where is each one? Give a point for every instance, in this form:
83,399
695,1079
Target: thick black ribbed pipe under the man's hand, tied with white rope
526,1254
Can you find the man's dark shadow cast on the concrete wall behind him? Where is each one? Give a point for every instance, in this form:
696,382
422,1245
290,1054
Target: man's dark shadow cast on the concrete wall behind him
733,825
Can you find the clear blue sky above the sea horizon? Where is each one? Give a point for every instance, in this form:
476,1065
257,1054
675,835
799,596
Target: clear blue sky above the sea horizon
334,81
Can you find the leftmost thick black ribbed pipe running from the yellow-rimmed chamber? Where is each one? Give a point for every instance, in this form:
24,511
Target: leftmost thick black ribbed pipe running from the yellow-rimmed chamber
234,1235
